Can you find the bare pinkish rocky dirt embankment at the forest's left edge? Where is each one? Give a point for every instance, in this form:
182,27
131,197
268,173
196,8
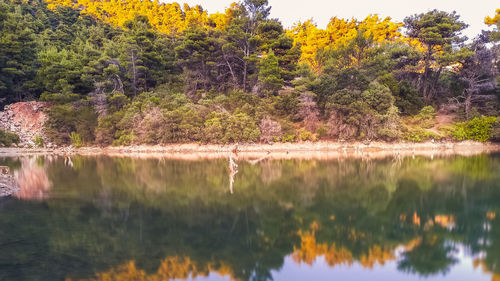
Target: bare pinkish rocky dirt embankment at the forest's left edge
26,119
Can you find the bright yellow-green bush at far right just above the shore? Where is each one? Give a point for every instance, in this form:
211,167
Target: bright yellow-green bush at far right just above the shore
478,129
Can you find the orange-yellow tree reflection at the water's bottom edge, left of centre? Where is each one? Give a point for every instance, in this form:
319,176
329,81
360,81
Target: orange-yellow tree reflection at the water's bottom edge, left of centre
169,269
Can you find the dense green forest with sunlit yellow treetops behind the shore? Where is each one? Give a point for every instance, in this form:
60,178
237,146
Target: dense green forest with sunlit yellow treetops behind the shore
126,72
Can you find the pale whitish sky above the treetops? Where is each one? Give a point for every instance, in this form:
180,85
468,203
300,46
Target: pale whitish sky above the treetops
288,12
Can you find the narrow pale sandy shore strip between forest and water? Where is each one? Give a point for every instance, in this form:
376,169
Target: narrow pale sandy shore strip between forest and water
306,150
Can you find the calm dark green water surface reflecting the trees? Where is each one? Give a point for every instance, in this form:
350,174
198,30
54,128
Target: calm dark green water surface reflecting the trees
85,218
